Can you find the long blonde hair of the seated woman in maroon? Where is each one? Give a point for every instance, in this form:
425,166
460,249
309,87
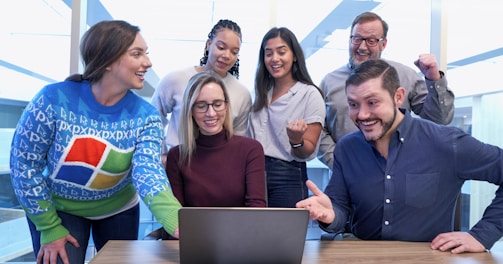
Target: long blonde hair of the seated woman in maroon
188,131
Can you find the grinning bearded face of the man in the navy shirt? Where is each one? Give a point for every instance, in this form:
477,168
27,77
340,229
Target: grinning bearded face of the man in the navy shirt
373,109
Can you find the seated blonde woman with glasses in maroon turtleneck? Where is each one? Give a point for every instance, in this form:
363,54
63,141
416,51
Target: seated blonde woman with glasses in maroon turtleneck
211,166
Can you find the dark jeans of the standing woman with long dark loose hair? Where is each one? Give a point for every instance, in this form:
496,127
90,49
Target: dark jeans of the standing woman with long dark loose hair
286,182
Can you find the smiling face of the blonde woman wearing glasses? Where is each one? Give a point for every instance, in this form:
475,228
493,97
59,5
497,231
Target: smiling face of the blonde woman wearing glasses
210,122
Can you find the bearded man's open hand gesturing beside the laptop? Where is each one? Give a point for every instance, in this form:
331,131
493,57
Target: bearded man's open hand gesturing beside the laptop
319,205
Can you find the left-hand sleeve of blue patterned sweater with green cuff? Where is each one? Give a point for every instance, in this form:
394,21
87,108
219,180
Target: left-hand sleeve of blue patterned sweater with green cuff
32,140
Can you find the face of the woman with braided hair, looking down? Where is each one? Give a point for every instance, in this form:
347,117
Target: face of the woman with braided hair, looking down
223,51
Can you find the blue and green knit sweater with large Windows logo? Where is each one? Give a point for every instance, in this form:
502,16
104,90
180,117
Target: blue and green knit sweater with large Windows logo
70,153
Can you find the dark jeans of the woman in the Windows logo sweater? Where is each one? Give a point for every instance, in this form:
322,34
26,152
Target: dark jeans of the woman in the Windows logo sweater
123,226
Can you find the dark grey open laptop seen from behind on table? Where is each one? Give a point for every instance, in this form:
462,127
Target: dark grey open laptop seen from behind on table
242,235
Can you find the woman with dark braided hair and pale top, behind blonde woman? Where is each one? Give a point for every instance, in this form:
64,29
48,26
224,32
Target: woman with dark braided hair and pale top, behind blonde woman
220,56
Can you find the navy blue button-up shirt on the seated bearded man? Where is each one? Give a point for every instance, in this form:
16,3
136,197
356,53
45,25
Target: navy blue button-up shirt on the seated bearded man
411,196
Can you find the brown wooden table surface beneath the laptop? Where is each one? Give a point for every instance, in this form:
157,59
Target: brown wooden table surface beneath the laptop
315,251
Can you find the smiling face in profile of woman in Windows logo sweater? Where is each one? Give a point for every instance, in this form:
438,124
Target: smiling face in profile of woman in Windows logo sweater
129,71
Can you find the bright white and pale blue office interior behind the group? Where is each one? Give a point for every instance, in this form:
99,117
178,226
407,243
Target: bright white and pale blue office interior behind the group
39,45
